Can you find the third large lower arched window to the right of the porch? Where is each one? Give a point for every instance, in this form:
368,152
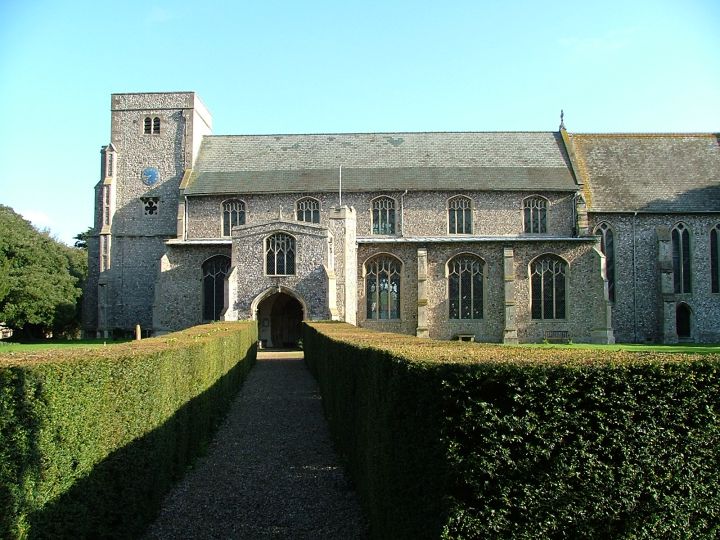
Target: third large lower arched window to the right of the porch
548,274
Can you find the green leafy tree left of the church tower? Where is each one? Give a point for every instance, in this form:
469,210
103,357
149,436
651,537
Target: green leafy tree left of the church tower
40,278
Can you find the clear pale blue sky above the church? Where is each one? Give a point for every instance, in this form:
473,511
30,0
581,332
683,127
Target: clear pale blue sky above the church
339,66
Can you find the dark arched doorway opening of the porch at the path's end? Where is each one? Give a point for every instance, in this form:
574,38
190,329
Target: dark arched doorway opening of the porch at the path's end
279,318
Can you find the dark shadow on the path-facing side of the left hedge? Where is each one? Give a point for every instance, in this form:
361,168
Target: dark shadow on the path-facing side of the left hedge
123,493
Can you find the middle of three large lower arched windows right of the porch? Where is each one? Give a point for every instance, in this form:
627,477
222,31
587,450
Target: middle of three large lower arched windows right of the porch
465,287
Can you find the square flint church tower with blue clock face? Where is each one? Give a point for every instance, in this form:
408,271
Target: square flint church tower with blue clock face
155,138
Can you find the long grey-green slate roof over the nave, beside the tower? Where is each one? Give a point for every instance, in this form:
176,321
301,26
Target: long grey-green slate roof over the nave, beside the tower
381,162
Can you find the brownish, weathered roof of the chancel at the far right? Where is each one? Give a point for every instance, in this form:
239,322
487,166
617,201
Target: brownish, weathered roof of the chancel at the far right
649,172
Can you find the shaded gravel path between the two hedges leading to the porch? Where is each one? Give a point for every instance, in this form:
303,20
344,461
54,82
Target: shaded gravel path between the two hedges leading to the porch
271,471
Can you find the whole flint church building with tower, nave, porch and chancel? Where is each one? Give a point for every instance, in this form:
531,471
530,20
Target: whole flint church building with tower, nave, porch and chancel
506,237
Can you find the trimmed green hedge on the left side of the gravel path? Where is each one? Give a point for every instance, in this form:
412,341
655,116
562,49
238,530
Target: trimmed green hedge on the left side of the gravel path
91,440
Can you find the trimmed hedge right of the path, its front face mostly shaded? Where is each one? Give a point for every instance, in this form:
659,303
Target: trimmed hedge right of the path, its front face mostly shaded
459,440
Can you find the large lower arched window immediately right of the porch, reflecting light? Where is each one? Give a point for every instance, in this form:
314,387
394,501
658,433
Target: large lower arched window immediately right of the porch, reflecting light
382,286
